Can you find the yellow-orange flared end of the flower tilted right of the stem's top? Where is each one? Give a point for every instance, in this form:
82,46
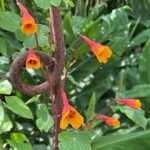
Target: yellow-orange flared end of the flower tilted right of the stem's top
102,53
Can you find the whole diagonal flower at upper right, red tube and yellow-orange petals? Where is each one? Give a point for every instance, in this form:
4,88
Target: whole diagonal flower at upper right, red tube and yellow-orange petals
100,51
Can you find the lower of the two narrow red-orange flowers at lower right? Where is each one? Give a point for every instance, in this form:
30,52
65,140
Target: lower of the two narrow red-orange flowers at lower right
109,121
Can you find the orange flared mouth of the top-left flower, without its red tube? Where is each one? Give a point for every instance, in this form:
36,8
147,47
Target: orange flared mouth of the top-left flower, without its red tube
29,26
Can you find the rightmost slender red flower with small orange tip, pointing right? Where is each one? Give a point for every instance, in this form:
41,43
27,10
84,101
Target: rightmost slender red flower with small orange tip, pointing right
133,103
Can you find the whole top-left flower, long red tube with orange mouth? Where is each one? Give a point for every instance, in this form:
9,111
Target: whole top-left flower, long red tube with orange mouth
28,23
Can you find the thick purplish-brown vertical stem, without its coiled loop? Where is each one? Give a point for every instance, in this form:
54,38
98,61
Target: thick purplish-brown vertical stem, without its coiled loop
58,39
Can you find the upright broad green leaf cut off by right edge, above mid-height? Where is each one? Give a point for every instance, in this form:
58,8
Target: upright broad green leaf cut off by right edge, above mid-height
144,64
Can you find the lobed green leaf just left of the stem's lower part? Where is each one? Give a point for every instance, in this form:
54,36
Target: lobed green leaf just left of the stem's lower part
44,121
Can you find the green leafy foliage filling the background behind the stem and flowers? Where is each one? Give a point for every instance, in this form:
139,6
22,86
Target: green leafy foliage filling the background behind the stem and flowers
25,122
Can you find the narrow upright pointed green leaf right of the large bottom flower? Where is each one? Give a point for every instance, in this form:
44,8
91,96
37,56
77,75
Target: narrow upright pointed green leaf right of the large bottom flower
91,108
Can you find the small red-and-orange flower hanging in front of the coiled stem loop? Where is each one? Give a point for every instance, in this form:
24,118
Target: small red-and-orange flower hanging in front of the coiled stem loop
32,60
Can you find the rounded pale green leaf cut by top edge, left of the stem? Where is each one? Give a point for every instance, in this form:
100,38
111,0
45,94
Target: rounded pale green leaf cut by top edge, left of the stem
44,4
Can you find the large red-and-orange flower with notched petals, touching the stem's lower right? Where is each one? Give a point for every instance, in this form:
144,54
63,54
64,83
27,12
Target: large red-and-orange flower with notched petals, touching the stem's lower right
70,115
